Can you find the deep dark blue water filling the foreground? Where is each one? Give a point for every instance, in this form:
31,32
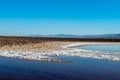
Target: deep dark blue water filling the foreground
79,69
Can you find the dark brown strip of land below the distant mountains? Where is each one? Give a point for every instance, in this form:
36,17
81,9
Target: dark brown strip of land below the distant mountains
21,40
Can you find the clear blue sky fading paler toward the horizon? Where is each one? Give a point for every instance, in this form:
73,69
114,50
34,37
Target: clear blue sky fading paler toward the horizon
81,17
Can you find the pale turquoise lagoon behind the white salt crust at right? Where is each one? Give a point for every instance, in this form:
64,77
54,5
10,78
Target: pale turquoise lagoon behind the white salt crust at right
102,47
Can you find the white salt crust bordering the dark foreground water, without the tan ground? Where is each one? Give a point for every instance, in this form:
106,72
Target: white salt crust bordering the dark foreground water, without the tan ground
50,55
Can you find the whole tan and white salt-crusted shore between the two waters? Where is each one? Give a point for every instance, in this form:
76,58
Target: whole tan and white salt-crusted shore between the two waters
49,51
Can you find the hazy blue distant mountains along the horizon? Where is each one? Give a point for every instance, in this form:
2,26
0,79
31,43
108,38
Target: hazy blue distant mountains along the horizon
79,36
